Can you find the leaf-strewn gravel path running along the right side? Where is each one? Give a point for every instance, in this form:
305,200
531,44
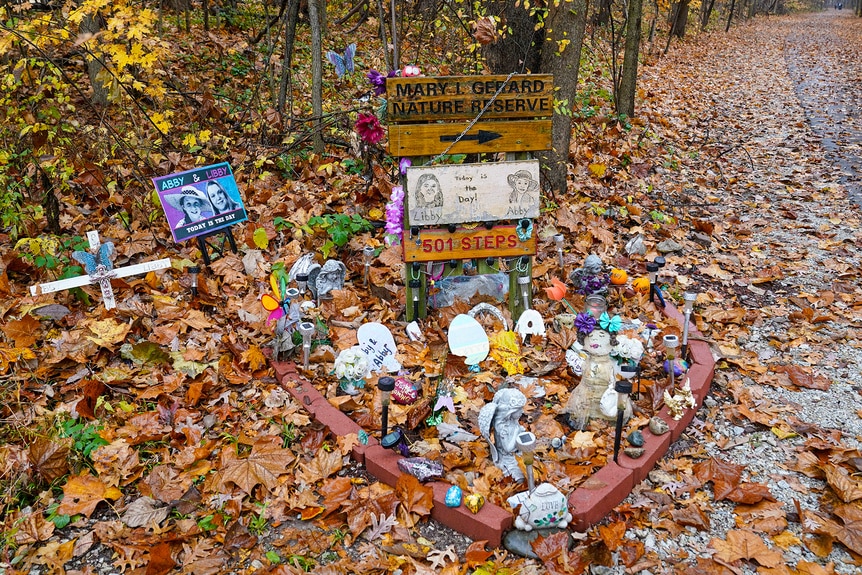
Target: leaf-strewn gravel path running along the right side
773,112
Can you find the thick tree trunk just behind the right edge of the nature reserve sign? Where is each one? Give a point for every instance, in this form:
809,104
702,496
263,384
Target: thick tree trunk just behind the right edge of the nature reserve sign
567,21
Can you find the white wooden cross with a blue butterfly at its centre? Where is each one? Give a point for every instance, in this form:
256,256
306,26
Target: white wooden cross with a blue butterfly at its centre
99,270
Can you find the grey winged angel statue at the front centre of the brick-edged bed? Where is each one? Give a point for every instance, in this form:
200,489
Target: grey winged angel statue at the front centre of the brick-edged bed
502,414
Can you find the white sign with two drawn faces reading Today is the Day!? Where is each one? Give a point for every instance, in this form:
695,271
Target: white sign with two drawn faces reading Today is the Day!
463,193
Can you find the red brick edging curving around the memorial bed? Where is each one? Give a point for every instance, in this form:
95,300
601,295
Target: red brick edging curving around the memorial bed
589,503
